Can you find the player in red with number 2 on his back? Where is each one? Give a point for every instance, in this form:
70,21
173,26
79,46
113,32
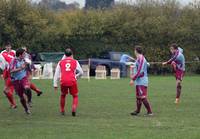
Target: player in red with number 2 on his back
68,70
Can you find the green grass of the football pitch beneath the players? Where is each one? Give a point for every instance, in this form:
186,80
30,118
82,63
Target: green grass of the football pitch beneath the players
103,112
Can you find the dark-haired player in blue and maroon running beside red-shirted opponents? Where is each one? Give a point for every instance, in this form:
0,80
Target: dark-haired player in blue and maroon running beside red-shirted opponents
19,78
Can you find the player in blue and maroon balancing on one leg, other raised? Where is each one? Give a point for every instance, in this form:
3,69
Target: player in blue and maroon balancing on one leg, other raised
178,63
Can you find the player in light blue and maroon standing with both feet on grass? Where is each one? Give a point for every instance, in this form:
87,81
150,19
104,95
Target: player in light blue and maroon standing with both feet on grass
140,78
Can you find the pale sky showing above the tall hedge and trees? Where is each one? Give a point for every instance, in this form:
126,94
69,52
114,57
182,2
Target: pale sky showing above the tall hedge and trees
82,2
